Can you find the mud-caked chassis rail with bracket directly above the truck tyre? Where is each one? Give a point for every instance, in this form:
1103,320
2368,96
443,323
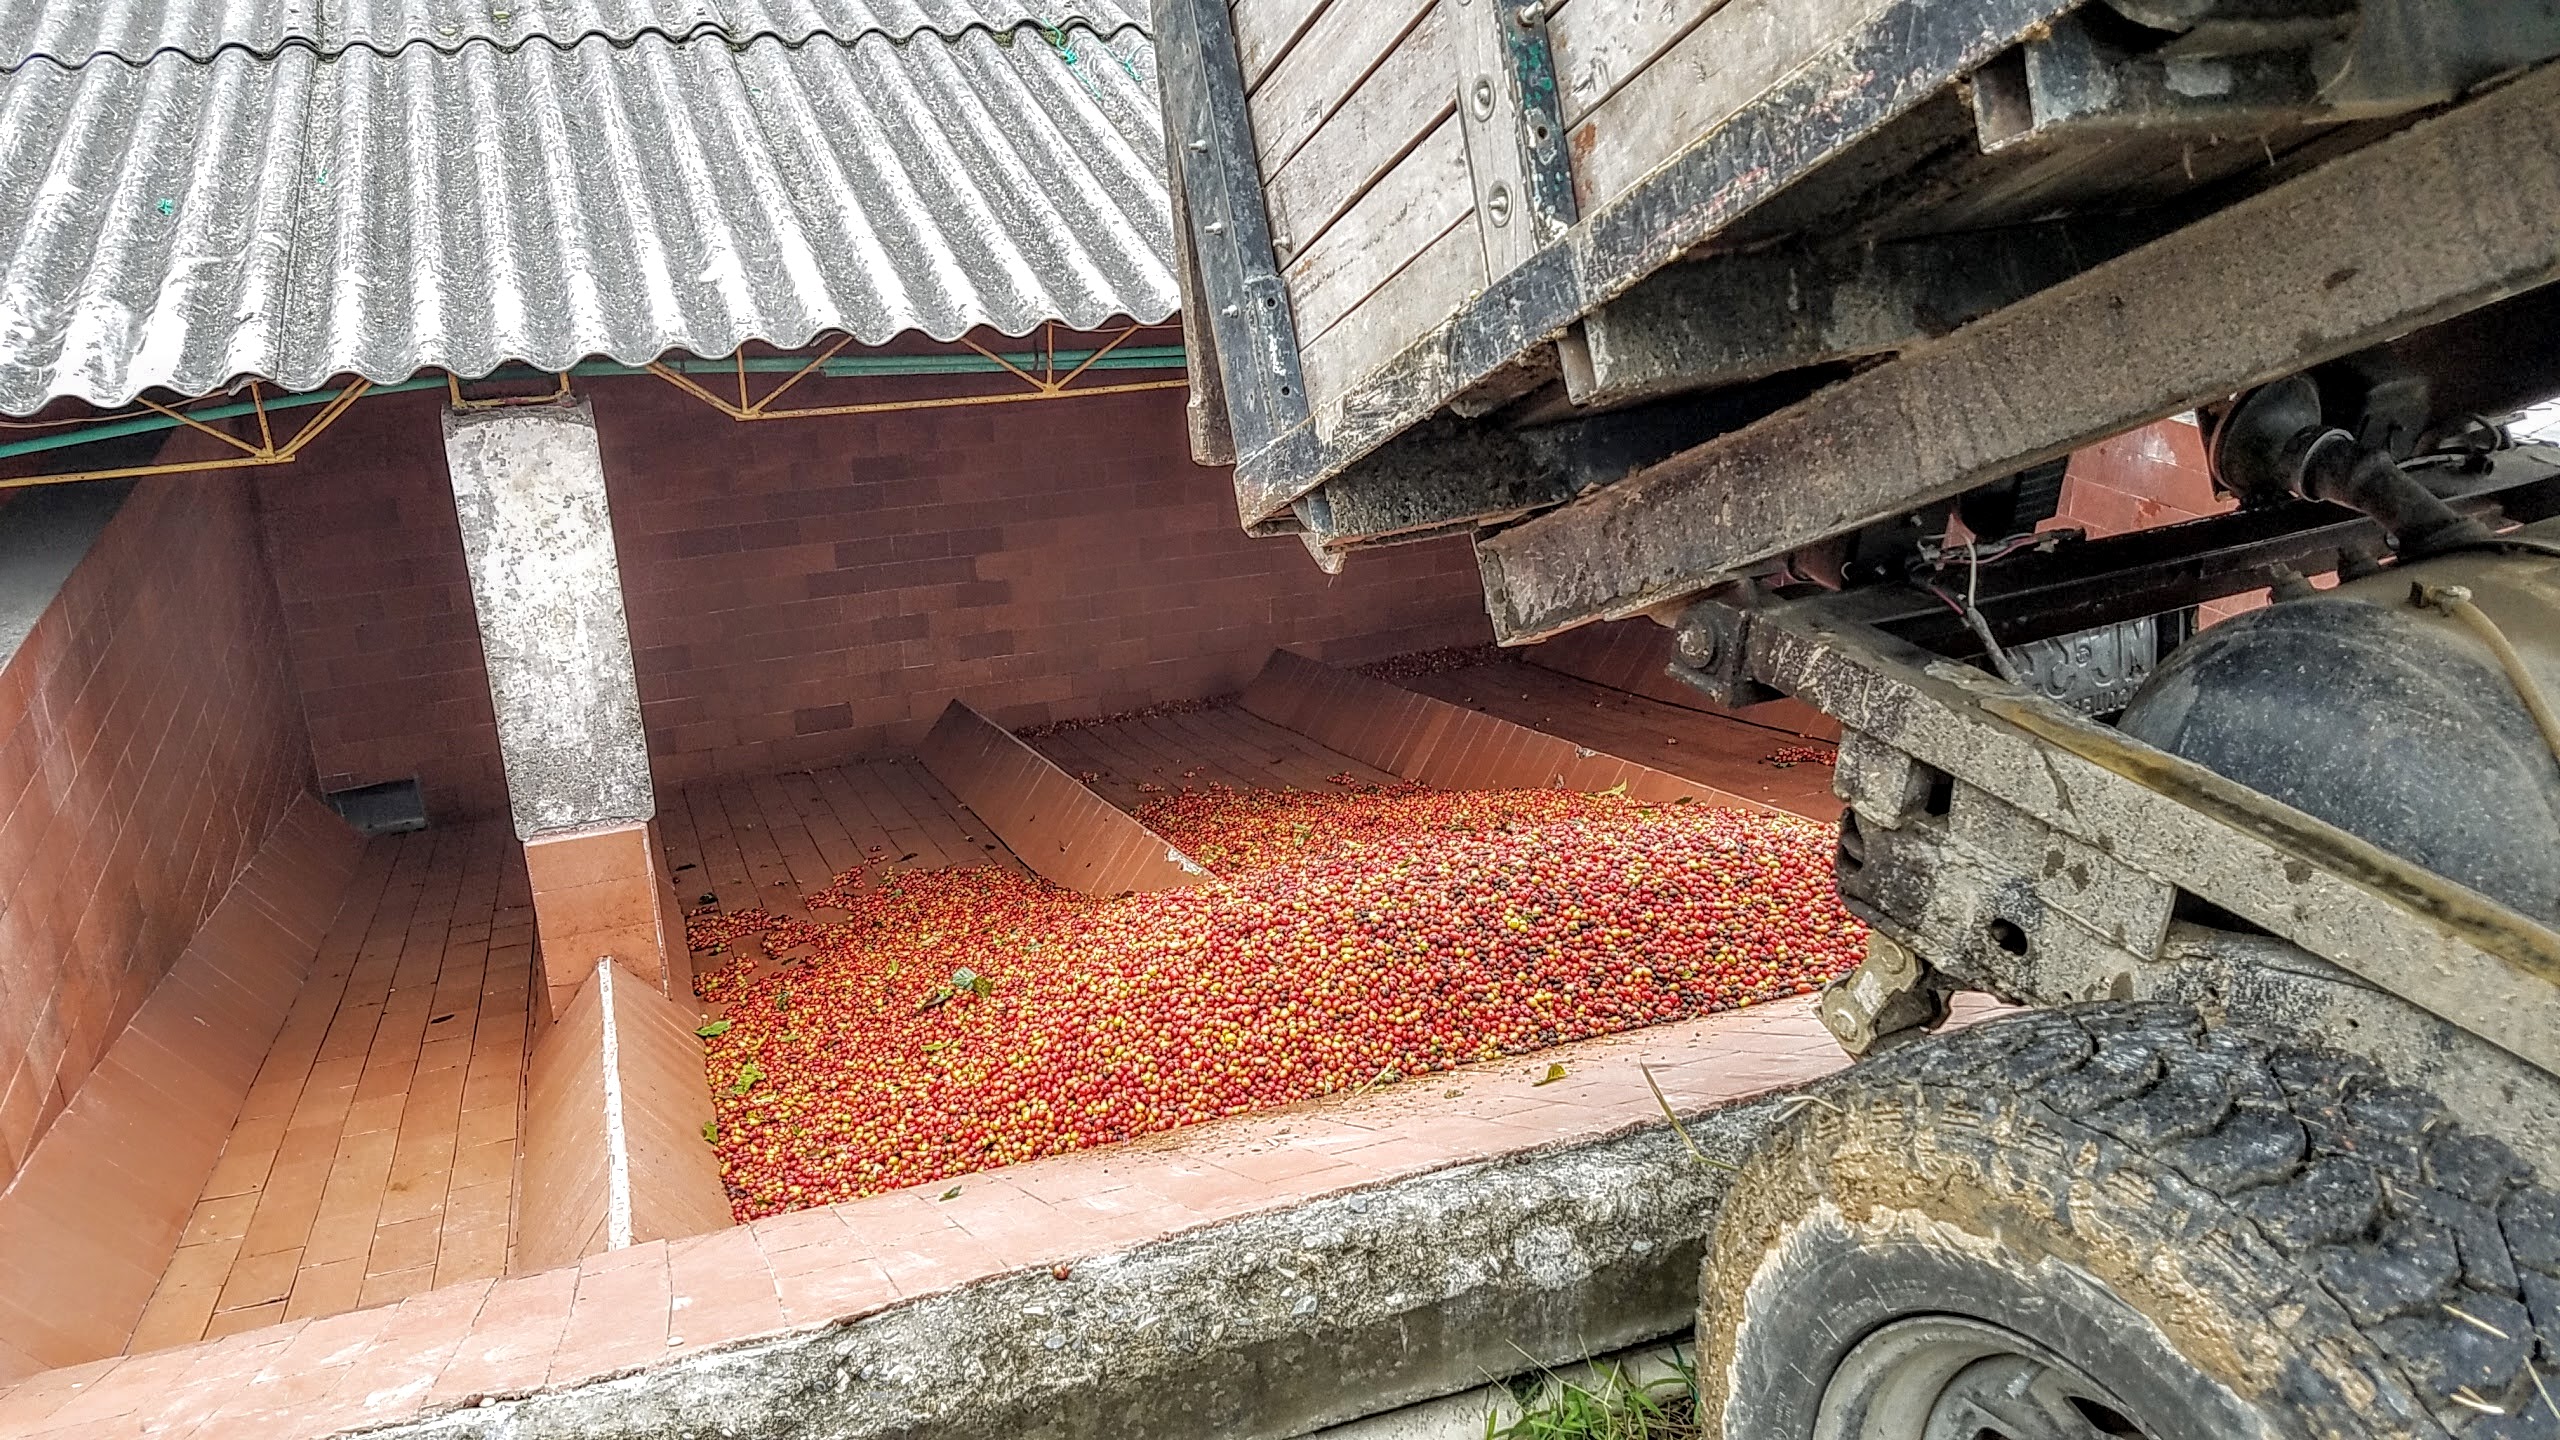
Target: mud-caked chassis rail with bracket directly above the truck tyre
2141,821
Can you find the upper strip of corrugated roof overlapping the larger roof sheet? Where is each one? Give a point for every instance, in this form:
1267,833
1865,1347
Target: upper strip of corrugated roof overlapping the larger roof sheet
198,29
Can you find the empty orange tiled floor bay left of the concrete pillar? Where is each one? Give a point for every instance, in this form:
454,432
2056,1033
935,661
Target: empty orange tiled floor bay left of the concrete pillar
344,1182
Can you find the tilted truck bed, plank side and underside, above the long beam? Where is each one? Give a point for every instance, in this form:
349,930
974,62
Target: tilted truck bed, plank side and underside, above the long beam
1460,265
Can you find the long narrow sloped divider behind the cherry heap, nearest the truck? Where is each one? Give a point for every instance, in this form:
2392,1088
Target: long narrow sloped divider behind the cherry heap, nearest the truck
1432,742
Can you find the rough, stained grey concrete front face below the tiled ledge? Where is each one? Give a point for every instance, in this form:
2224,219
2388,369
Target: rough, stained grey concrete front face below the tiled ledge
1263,1329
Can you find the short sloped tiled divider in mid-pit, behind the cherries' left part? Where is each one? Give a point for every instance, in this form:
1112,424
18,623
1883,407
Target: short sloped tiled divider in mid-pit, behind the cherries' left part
1046,816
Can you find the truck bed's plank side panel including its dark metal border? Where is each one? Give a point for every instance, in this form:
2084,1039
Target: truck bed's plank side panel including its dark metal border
1394,201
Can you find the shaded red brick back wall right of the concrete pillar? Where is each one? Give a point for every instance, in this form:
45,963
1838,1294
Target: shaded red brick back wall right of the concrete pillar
820,588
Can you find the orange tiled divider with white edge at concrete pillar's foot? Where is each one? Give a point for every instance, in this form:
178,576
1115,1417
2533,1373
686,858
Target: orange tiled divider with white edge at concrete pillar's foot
613,1129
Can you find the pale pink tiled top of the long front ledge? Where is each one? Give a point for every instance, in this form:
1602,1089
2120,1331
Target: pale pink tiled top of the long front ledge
626,1308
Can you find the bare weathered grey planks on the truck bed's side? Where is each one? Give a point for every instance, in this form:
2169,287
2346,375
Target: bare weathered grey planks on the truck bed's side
1366,152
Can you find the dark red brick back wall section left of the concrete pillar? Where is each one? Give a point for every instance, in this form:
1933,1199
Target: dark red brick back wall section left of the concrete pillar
378,609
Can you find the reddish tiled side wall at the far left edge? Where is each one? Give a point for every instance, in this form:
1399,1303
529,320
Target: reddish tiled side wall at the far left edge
150,742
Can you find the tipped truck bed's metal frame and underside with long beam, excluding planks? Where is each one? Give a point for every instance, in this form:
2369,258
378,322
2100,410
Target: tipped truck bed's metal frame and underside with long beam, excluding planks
1627,419
